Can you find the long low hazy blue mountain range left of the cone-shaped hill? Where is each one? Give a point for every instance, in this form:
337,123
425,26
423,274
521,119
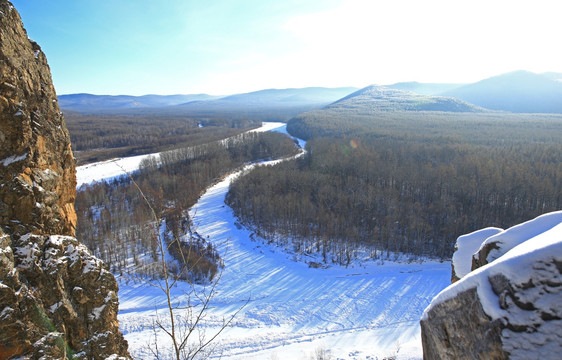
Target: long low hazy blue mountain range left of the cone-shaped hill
265,105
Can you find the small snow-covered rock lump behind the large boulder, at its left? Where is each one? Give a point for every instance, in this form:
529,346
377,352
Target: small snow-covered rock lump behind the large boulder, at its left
465,247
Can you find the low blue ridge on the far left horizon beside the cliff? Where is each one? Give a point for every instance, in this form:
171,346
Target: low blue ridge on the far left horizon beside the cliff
96,103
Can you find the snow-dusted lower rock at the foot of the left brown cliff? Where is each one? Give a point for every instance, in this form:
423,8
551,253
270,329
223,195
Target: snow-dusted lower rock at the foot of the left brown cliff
74,284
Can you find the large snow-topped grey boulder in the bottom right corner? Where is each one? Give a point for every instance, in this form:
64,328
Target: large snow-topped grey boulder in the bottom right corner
510,308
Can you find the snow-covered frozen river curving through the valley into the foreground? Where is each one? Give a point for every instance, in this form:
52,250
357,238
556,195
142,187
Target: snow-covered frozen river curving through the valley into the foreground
366,312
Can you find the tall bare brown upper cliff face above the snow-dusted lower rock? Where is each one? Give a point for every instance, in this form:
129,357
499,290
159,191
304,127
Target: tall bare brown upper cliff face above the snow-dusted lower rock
36,163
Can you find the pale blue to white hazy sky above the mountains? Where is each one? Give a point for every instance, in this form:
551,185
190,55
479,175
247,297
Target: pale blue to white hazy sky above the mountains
231,46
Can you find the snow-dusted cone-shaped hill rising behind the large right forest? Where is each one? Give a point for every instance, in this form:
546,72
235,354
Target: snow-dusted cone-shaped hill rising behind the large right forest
379,98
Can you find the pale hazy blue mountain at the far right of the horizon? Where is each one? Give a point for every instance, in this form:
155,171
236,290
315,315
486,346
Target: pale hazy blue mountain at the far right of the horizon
519,91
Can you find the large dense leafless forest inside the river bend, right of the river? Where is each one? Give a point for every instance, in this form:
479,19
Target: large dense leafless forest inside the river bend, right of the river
409,182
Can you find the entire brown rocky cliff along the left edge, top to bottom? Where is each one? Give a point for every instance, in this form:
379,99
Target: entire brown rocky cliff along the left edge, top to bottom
56,299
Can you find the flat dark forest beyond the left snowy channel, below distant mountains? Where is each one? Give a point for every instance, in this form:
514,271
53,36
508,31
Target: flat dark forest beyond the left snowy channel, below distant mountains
98,137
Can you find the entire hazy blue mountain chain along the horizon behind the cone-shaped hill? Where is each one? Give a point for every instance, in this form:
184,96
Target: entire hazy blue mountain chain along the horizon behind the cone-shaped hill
519,91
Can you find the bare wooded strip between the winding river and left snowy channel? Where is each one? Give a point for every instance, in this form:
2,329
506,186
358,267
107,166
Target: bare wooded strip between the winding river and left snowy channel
115,222
